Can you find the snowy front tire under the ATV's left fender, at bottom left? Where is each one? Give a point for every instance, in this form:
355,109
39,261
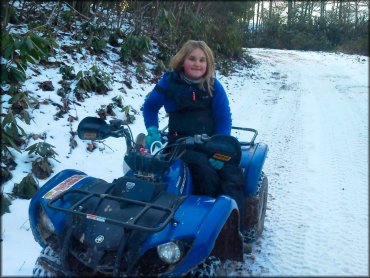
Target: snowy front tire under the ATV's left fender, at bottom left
41,269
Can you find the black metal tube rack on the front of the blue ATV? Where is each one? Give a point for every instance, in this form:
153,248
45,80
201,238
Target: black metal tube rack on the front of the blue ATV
130,223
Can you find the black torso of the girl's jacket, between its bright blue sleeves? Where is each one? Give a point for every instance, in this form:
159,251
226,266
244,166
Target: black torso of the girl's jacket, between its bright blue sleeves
193,114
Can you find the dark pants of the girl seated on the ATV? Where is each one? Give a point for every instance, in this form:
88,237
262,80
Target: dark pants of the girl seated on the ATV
208,181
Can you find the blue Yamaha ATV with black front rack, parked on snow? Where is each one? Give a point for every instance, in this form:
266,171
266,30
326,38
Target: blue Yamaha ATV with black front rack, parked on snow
148,222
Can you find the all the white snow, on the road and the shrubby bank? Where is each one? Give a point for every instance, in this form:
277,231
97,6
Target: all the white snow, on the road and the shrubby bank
311,108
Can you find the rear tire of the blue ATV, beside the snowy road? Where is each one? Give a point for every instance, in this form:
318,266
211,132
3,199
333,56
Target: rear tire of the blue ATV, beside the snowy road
256,211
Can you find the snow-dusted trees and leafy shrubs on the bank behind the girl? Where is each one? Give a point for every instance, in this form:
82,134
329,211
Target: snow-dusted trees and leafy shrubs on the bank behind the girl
29,32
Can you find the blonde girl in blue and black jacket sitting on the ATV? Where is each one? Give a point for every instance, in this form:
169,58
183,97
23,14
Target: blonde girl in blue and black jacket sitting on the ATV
197,104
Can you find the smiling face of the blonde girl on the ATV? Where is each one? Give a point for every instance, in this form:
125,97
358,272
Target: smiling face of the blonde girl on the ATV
195,64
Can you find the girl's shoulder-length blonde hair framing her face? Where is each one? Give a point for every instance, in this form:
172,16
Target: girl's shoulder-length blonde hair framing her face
177,61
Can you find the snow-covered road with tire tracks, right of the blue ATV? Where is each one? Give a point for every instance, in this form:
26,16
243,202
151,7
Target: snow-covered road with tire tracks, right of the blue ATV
312,110
